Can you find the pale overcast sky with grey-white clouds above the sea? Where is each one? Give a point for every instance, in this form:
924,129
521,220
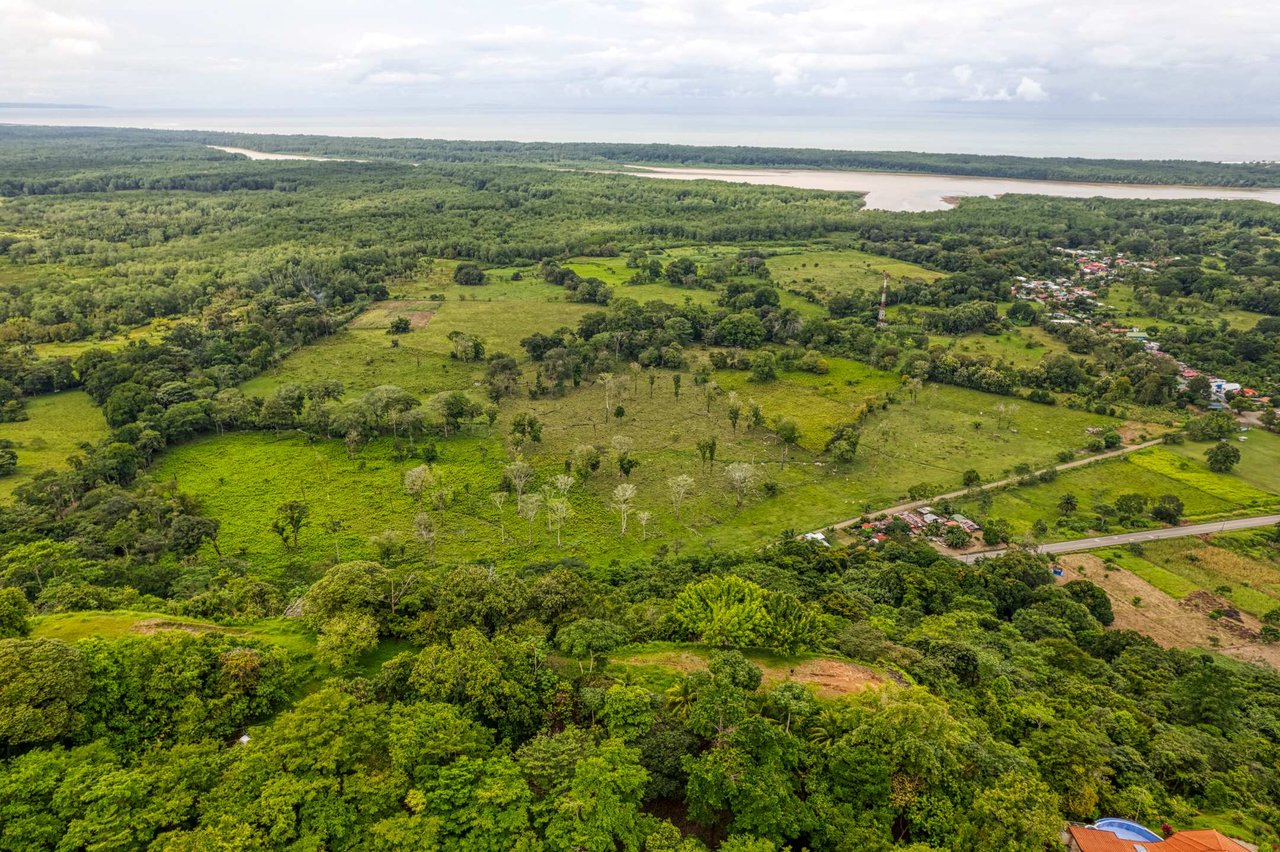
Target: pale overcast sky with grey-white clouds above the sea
1177,61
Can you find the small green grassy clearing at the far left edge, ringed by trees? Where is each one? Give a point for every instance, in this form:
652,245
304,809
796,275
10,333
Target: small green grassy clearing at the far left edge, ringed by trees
56,428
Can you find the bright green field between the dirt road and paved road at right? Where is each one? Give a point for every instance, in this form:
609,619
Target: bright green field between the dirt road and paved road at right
1178,470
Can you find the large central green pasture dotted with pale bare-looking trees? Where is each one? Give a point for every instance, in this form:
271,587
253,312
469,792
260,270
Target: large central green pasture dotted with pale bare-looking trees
244,478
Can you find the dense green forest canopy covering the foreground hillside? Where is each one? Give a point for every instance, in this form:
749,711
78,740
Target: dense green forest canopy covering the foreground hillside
998,707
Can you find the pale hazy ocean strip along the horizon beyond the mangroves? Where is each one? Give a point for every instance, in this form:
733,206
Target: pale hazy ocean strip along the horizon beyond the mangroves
907,132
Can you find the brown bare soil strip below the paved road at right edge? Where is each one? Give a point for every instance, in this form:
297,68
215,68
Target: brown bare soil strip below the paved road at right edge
1171,622
